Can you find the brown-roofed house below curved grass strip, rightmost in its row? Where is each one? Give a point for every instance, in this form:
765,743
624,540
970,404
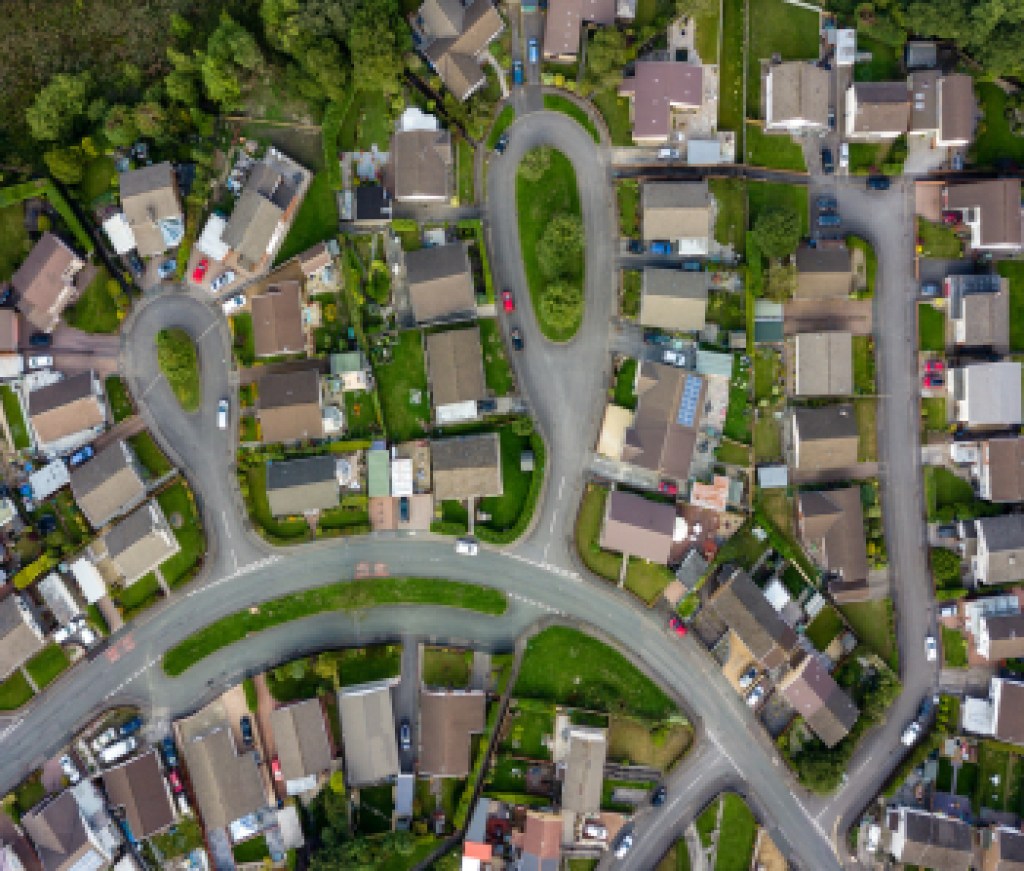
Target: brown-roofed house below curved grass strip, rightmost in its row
448,723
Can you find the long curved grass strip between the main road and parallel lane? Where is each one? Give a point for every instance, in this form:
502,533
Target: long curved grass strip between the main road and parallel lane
345,596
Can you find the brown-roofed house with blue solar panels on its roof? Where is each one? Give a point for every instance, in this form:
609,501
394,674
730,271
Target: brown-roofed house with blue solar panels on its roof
665,425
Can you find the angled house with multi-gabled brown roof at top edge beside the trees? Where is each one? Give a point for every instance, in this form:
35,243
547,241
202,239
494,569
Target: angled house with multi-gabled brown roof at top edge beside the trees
453,35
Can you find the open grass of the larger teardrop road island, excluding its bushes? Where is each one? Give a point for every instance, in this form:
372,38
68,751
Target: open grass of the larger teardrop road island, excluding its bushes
538,202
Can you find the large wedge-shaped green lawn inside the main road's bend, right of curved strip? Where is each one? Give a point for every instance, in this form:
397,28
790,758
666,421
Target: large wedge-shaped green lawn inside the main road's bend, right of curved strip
567,667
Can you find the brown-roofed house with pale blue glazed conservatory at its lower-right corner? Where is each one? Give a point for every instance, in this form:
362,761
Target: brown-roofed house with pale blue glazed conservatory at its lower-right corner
152,208
